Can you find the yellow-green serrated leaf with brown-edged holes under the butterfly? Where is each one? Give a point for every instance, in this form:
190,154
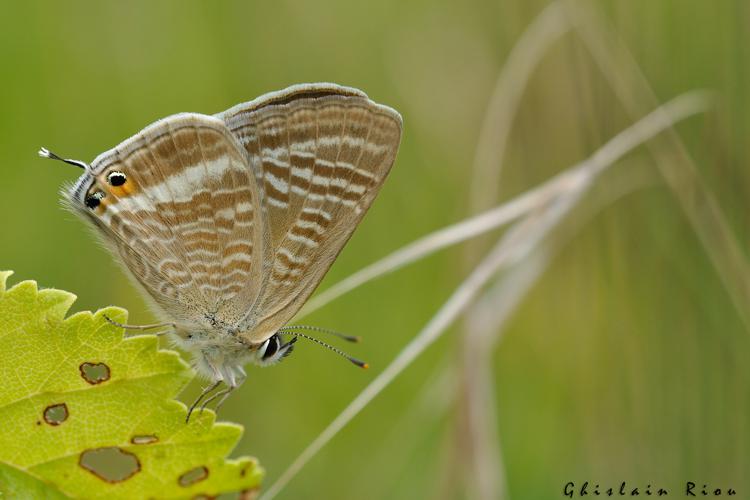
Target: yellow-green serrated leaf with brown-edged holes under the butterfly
86,412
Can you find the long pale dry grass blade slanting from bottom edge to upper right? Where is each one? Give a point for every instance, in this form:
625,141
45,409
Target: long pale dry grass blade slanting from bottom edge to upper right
514,246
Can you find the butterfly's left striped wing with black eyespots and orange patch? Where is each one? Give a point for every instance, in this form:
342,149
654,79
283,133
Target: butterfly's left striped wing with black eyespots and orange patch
186,223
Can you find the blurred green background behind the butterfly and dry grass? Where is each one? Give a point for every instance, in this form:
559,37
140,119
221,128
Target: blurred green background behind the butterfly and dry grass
626,362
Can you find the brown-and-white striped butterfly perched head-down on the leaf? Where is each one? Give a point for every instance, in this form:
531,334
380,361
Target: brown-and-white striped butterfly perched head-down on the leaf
229,222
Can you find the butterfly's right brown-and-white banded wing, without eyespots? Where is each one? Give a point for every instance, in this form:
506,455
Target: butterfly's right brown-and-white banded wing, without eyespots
320,154
